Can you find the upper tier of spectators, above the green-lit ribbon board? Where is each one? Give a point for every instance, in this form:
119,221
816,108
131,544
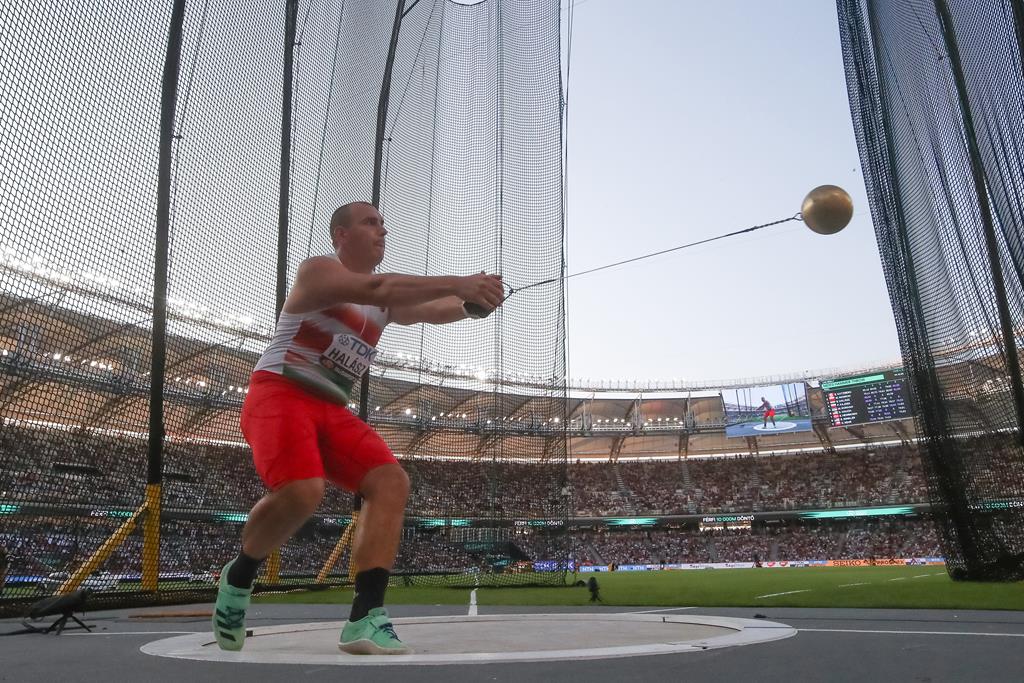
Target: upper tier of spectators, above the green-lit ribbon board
78,467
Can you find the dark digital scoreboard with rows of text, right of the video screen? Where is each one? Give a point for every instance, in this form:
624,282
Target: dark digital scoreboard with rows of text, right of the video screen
876,398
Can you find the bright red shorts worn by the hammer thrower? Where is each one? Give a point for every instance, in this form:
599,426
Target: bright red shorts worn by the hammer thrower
296,436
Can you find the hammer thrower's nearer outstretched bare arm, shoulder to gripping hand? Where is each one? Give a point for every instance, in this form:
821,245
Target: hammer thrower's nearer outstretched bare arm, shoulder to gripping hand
323,282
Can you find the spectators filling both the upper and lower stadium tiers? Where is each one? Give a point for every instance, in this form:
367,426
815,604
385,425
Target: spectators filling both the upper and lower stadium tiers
106,471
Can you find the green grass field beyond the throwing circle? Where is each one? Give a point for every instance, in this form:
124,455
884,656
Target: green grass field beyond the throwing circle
927,587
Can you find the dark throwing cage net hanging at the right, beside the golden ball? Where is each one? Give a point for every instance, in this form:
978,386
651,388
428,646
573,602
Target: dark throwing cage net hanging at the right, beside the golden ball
936,96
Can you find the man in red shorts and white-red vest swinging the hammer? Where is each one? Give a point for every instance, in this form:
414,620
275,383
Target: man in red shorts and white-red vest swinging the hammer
295,418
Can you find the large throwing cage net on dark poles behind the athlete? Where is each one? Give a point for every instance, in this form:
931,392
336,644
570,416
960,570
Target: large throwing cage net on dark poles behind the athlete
164,169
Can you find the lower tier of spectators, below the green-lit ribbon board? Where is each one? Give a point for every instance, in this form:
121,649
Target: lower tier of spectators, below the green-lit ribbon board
190,549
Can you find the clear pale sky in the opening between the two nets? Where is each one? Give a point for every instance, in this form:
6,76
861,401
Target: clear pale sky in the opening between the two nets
690,120
